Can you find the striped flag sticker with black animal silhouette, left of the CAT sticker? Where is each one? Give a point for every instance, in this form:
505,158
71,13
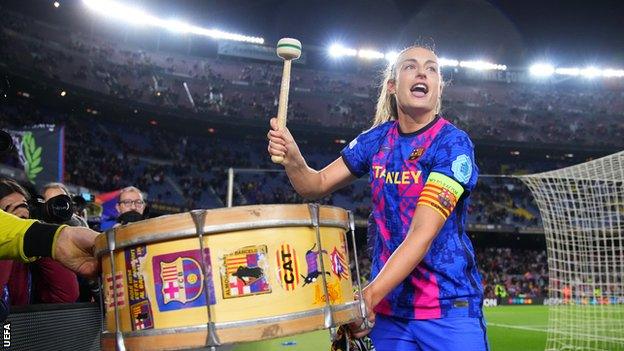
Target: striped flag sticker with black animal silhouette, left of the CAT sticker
244,272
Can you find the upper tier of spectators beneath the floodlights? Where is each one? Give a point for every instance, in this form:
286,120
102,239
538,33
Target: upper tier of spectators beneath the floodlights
565,113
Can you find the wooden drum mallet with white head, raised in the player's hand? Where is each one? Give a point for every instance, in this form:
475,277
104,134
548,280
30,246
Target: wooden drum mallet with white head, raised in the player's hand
288,49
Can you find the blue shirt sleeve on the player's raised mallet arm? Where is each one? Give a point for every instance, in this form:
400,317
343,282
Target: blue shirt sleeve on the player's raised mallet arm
357,155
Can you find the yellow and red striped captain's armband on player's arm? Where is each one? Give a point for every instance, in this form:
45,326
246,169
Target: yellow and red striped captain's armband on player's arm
440,193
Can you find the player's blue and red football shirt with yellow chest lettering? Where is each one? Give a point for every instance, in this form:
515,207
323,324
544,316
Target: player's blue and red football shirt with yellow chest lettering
432,167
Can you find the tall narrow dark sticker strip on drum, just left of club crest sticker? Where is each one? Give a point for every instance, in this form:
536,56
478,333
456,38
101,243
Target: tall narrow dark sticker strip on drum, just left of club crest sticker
140,308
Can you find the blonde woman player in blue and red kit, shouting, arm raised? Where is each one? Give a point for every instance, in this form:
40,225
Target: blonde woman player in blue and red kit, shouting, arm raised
425,291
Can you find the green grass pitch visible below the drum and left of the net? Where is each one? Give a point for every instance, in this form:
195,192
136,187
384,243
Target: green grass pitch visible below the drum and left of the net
510,328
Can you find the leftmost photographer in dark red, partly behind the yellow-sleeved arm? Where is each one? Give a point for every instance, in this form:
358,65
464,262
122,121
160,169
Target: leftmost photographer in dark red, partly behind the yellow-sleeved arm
42,281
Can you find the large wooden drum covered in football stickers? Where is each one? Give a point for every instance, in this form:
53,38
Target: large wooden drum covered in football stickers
211,277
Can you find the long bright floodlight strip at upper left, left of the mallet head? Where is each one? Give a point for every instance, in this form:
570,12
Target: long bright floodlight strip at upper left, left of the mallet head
135,16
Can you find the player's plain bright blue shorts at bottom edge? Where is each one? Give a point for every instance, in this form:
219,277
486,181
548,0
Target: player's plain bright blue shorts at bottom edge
444,334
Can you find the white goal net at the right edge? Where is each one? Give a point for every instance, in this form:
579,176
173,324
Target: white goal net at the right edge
582,210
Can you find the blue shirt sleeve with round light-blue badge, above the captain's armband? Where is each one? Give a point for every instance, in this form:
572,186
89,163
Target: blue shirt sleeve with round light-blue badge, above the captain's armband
455,158
